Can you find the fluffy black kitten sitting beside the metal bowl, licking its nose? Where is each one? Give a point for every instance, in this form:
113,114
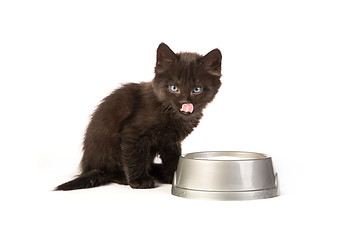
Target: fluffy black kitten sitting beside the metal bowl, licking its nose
138,121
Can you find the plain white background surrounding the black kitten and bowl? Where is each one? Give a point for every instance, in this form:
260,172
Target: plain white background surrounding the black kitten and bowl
290,89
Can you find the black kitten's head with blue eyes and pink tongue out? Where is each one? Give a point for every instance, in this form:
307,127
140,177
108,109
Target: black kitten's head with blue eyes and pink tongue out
186,82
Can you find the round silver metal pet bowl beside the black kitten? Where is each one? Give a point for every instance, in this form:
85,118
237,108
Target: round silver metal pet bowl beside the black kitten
225,176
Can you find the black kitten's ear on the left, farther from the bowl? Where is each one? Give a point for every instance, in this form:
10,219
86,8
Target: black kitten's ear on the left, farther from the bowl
165,58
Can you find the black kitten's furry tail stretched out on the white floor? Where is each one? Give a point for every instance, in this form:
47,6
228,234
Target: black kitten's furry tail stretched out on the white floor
92,179
